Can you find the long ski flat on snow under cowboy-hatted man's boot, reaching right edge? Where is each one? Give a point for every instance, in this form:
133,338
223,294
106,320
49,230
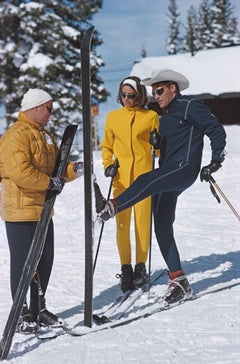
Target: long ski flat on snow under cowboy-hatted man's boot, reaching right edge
158,309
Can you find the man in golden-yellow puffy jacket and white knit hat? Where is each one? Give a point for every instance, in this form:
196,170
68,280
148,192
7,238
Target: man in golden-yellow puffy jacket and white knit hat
27,159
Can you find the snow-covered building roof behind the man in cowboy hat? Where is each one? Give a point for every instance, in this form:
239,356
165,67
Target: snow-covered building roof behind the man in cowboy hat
215,72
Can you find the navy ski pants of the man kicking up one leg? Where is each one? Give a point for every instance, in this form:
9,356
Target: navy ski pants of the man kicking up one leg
165,184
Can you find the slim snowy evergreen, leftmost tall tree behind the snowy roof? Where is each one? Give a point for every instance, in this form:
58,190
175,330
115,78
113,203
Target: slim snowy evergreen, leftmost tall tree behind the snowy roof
173,40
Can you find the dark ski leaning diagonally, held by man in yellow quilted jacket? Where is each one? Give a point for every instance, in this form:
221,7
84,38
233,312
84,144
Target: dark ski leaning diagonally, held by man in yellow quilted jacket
36,246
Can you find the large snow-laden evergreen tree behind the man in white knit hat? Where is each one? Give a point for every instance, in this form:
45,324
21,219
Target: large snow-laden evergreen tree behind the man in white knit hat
40,47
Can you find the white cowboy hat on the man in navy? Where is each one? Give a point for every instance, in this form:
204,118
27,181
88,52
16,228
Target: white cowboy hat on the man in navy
167,75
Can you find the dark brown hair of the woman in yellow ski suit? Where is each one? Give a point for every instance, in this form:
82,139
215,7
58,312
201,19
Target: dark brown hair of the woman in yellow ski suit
141,93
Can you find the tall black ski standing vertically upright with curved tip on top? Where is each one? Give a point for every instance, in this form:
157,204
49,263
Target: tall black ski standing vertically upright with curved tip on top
88,171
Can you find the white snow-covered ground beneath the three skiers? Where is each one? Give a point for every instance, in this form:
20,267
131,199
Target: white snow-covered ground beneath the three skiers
203,331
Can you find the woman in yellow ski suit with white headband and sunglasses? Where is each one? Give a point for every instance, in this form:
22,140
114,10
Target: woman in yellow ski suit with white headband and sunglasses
126,138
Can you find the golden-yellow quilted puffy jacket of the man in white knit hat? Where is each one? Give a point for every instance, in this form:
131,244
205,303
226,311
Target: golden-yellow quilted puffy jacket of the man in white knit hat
27,159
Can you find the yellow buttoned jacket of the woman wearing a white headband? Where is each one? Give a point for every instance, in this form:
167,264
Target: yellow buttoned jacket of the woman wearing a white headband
126,137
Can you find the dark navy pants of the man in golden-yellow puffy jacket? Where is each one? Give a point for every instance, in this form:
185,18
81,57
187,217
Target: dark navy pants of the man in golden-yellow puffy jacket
20,236
